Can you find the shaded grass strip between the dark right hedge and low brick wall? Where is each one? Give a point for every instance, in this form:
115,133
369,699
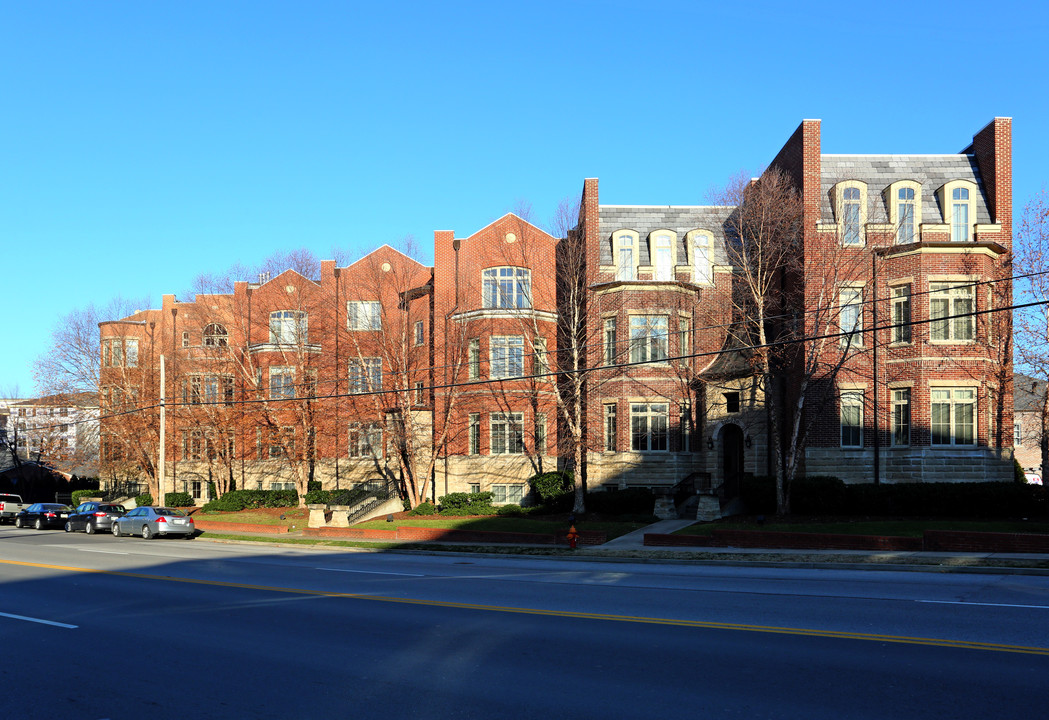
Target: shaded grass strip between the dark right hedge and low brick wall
890,527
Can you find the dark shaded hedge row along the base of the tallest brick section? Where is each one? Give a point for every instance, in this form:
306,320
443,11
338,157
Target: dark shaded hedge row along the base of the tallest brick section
831,497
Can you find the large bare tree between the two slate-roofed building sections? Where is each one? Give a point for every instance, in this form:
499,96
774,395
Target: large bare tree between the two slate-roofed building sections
795,303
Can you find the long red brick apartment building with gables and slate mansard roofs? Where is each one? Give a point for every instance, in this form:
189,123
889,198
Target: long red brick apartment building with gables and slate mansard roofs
454,377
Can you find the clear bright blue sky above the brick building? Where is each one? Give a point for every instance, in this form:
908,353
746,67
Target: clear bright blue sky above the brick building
144,143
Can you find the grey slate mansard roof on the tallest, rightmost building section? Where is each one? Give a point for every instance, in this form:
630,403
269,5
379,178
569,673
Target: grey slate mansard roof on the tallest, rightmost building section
881,172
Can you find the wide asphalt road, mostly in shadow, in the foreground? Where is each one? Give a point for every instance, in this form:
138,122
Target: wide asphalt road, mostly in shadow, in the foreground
97,627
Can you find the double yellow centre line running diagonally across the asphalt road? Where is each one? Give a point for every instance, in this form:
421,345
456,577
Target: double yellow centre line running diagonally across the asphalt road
871,638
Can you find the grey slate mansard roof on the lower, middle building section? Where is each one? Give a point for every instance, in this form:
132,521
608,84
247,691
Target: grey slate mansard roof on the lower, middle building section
646,219
